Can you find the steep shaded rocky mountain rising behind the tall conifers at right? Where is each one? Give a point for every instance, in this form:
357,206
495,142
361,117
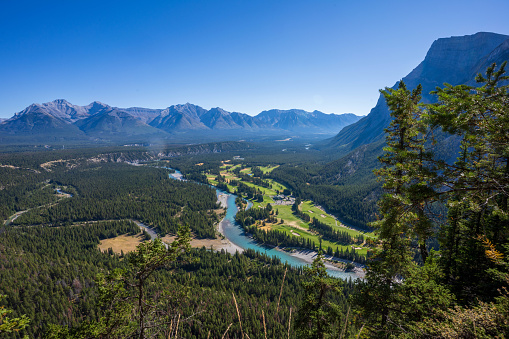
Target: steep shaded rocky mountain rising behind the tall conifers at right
455,60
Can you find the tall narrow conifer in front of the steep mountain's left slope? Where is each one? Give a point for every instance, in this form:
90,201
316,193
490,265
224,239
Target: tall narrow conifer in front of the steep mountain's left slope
392,260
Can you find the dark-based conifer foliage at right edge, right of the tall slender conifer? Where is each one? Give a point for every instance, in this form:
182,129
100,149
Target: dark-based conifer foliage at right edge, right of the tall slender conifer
477,181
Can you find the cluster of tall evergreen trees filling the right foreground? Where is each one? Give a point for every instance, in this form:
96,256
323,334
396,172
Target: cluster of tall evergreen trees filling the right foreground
398,295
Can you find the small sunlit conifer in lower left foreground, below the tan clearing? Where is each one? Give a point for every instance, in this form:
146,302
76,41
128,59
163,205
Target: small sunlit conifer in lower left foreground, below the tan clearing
129,310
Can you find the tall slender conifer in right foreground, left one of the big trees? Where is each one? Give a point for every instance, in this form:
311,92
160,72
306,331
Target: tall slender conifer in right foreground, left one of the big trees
409,182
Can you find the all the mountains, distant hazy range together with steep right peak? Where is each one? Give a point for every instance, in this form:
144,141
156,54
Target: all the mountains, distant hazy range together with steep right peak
454,60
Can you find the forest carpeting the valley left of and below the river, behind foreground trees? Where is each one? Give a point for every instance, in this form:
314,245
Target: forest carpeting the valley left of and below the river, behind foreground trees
72,200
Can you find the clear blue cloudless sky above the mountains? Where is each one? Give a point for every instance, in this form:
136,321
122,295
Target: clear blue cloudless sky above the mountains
244,56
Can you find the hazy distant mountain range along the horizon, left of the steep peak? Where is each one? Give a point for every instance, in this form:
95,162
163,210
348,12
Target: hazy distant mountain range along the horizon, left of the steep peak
61,120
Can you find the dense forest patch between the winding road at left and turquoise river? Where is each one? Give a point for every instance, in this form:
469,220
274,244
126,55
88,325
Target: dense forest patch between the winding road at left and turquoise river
120,191
